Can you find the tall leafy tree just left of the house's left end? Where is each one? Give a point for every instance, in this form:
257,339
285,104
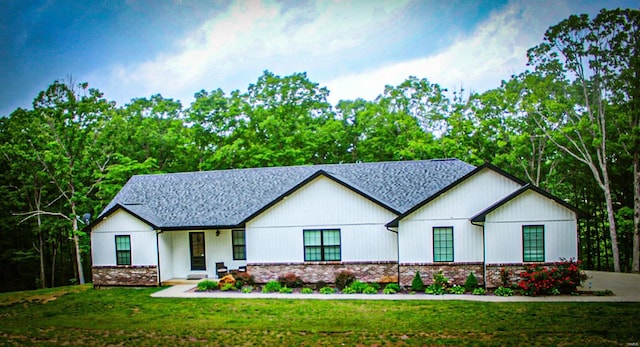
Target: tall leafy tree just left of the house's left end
71,115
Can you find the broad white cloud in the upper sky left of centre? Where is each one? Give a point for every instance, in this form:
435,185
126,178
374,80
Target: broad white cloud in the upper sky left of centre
248,38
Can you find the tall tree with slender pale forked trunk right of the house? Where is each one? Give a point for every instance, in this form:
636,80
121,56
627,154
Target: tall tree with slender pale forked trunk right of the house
589,53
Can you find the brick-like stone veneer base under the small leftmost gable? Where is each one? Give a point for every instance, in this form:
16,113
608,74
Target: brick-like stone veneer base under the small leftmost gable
125,275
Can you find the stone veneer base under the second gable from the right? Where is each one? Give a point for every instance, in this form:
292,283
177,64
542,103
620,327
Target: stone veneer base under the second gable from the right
456,272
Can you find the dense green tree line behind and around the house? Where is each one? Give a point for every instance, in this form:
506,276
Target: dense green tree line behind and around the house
569,125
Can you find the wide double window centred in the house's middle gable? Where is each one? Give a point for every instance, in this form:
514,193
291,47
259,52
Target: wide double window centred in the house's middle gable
322,245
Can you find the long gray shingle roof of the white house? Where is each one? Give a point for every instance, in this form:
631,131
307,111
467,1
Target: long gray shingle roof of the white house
227,198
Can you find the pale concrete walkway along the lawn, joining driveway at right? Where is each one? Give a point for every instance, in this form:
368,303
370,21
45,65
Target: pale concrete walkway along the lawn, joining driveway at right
626,288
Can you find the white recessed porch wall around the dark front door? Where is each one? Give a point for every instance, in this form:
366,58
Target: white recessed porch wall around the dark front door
217,249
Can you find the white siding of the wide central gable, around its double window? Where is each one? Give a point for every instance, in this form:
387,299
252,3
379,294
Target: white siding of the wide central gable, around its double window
276,235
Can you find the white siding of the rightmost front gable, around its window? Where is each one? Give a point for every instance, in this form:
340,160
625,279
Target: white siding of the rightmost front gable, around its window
503,229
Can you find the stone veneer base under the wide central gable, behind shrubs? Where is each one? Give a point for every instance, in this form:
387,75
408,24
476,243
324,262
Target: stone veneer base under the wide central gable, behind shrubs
313,272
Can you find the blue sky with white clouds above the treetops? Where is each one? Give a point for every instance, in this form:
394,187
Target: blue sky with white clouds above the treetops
137,48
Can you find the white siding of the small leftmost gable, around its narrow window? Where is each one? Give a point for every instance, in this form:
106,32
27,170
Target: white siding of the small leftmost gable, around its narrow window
142,235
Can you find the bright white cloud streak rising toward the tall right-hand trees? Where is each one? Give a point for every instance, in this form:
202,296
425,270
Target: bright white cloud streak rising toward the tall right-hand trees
478,62
